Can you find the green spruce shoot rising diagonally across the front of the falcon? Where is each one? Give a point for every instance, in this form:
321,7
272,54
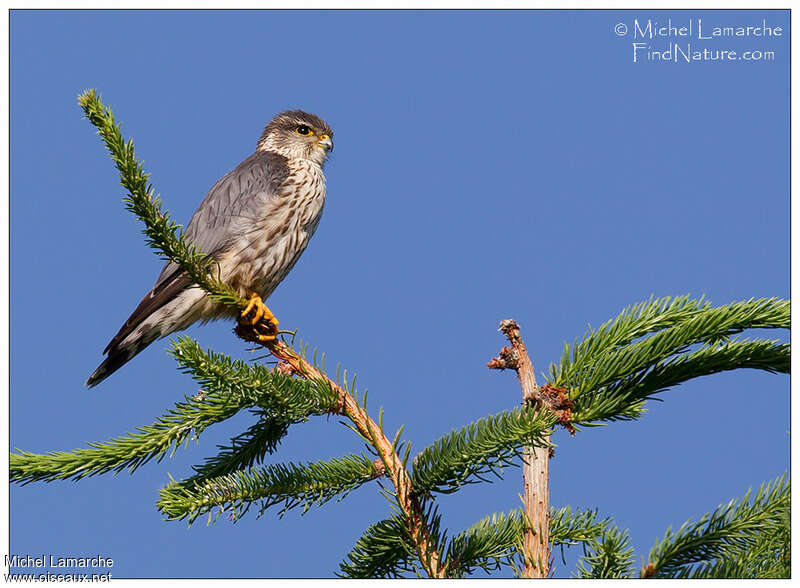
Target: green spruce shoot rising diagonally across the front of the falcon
161,232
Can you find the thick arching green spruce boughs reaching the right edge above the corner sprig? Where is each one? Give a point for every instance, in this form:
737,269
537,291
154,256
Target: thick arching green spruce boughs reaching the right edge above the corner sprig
652,346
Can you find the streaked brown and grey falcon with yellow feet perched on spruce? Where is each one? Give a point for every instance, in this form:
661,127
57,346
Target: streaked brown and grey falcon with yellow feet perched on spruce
254,223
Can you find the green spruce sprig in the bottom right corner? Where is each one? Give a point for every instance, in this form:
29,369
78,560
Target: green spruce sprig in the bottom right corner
723,535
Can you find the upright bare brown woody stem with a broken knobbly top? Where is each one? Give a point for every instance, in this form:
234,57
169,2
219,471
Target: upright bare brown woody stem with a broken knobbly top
536,498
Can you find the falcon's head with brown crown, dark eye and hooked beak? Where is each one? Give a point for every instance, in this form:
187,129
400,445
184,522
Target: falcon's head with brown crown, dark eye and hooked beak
298,135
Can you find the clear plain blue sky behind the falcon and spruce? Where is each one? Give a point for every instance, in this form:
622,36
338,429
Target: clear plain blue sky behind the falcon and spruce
487,165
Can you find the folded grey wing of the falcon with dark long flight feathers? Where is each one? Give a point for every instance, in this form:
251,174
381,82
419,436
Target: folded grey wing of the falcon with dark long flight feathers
226,212
